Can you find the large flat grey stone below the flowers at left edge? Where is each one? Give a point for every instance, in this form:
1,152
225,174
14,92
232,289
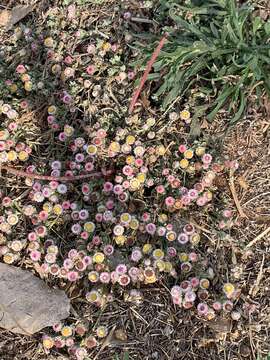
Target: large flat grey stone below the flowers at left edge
27,304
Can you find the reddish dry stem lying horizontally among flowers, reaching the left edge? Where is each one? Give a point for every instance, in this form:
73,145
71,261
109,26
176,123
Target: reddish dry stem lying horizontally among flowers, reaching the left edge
55,178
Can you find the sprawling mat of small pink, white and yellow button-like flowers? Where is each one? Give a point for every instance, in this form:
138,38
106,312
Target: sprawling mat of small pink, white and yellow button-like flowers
102,203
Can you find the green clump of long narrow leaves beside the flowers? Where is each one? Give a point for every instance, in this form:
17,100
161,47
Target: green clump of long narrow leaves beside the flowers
217,47
